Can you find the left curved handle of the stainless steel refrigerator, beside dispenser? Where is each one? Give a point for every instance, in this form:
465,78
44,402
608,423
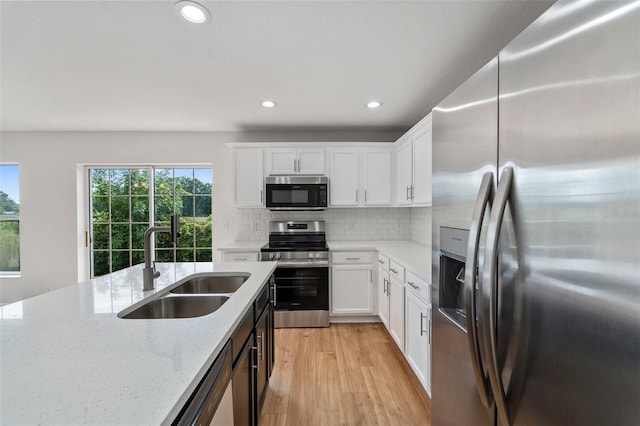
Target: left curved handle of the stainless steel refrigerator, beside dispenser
483,201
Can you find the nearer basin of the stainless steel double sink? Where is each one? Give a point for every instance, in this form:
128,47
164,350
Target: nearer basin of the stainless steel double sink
177,307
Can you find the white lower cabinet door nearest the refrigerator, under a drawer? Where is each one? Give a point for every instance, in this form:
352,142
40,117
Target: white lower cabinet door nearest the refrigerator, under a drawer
418,343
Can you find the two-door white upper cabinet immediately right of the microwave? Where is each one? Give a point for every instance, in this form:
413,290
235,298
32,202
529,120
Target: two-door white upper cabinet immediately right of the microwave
360,177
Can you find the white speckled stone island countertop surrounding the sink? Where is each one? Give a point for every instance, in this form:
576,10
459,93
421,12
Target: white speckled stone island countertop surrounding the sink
65,357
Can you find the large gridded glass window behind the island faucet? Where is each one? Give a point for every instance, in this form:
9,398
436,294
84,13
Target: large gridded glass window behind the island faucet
125,201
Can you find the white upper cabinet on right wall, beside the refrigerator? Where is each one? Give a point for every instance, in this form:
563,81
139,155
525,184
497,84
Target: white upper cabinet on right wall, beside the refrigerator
413,165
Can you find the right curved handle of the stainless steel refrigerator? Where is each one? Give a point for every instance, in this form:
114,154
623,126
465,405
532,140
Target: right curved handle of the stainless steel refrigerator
489,291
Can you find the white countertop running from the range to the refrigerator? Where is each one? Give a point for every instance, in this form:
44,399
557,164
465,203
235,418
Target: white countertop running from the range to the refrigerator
411,255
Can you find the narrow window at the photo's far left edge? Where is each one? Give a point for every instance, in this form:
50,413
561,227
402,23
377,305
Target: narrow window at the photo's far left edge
9,219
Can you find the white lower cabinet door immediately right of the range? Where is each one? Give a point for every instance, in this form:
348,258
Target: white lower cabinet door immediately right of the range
352,289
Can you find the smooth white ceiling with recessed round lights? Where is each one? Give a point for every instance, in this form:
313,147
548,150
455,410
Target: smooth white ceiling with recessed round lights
134,65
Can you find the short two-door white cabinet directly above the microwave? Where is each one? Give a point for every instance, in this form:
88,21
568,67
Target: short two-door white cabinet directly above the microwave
301,161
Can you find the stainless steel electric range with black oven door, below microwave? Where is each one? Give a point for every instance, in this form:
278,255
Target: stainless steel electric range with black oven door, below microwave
302,274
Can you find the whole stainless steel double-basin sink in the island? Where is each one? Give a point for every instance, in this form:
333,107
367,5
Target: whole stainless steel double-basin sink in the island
194,296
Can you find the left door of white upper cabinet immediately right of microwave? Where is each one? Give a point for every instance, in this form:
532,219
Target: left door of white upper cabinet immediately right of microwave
343,180
